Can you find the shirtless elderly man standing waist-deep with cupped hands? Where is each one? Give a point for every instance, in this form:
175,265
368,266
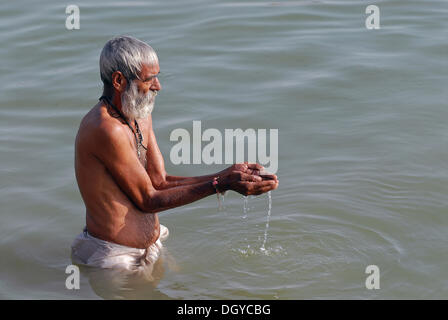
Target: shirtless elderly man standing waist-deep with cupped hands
120,170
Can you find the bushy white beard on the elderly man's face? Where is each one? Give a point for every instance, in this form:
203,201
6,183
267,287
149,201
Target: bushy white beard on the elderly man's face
135,105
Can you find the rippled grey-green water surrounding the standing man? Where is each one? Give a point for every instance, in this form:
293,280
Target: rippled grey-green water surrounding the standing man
363,153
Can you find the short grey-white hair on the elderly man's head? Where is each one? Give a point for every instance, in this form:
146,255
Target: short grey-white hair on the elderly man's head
125,54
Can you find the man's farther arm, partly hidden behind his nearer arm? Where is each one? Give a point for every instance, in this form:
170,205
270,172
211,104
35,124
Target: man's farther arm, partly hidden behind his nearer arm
161,180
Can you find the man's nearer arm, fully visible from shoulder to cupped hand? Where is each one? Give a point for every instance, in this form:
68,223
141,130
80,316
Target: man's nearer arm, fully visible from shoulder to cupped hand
113,149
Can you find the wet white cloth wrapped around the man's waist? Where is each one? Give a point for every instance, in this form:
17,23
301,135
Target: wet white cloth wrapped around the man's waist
90,251
